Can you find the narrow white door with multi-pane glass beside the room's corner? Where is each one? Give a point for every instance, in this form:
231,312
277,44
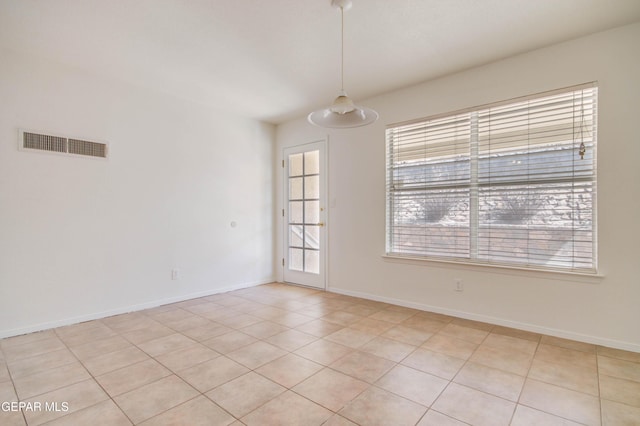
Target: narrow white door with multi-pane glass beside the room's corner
304,214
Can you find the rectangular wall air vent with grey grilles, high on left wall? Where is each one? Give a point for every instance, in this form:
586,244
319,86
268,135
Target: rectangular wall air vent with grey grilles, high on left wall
42,142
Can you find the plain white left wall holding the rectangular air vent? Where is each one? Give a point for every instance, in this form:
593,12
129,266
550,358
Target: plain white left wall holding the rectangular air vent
82,238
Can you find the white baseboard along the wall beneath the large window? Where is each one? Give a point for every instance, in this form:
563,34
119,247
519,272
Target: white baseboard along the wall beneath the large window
610,343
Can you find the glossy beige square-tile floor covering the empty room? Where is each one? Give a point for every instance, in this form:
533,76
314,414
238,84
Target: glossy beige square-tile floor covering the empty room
285,355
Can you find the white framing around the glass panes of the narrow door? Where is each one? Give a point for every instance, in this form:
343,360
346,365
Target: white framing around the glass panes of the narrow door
296,277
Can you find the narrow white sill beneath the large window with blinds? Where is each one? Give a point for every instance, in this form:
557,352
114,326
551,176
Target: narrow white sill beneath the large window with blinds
583,277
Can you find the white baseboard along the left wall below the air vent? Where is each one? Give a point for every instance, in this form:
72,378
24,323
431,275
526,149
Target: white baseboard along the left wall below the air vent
125,309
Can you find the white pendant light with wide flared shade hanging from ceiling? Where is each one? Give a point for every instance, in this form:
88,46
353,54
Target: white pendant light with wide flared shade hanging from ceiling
343,113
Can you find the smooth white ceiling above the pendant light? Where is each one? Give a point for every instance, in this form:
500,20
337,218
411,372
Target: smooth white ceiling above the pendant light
280,59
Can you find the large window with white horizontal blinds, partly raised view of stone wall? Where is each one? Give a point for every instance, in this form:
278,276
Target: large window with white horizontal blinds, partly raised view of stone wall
512,183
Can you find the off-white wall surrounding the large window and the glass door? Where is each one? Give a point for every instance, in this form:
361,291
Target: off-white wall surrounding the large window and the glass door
599,310
